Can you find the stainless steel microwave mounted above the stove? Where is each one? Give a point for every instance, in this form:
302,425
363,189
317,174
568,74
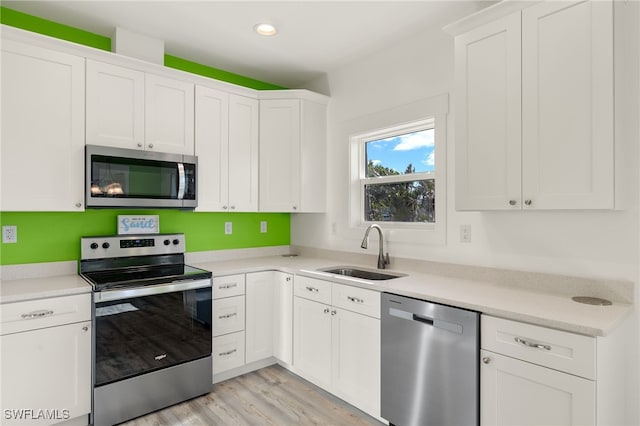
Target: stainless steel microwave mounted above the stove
123,178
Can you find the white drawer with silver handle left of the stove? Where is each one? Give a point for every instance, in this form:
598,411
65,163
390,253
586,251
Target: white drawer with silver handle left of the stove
41,313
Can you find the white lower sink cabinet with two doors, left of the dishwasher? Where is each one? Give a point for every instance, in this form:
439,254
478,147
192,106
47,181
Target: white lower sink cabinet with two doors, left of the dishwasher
337,344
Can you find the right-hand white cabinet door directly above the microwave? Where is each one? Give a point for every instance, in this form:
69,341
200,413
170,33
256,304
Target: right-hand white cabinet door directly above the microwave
169,116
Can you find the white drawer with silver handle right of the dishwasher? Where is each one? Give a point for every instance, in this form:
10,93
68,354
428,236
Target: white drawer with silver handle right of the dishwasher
560,350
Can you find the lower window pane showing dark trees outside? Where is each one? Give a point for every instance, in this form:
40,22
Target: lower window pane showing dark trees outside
412,201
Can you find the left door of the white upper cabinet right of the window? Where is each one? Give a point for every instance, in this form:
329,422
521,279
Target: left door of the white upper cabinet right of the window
488,116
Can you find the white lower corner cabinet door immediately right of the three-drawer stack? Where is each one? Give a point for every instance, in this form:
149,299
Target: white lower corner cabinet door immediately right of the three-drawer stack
259,325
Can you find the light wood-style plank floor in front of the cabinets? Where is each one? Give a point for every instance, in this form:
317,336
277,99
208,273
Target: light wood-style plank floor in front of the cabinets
270,396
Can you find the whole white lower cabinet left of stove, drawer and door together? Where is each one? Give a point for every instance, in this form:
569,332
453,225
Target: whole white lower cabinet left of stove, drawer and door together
46,360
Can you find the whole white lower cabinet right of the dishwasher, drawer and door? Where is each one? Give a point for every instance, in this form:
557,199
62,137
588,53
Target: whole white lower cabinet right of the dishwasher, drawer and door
533,375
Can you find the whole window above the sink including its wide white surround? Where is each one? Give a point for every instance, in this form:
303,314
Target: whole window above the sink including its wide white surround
397,171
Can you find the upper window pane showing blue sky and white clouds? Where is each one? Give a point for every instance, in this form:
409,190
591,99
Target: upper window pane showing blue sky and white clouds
409,153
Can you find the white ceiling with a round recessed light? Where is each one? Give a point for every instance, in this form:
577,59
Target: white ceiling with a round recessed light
315,37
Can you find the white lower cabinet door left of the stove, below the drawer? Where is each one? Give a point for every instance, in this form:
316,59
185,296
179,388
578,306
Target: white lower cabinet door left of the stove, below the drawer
48,369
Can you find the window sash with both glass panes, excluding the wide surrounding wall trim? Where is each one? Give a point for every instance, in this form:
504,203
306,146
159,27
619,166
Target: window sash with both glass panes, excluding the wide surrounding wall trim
398,174
